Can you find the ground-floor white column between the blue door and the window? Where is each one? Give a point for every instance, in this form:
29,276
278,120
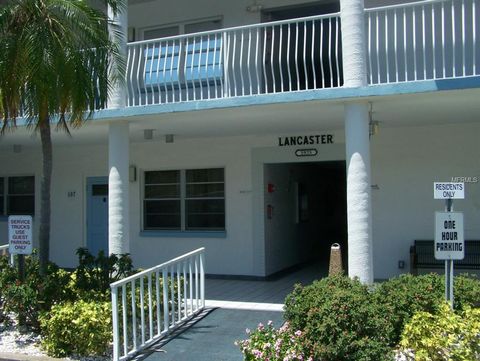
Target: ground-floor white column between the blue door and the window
118,188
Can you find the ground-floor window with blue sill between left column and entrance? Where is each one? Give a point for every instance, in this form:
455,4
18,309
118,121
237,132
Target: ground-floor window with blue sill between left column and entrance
185,200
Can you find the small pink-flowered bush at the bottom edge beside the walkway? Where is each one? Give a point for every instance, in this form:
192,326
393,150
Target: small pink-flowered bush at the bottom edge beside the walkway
268,343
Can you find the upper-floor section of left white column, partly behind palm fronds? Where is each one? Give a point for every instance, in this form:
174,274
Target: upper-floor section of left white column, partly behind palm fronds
118,32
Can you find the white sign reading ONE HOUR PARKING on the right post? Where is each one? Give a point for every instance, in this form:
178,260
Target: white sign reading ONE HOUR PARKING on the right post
449,241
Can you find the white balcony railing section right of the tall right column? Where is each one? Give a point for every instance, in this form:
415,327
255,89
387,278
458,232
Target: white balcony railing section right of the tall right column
433,39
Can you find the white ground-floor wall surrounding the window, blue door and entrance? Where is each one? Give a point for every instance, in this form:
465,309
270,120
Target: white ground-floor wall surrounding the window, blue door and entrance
405,163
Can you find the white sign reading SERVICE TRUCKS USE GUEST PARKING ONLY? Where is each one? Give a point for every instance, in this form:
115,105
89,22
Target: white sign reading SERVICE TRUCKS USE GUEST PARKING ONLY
20,234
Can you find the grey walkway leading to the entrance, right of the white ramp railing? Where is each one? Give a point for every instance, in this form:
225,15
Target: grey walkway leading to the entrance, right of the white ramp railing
231,307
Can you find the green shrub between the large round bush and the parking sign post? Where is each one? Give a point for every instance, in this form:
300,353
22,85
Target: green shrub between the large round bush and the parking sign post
405,295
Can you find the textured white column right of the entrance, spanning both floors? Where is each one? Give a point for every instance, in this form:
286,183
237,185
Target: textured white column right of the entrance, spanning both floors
360,258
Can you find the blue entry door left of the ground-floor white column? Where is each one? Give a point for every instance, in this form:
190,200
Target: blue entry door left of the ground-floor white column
97,214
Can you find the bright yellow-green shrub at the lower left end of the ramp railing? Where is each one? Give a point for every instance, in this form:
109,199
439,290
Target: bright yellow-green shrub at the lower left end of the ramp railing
82,328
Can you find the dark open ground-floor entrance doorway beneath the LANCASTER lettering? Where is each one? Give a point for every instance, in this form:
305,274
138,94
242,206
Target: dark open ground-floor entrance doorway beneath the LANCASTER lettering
305,213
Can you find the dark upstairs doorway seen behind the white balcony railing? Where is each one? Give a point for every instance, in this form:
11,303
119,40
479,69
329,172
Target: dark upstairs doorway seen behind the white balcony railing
298,62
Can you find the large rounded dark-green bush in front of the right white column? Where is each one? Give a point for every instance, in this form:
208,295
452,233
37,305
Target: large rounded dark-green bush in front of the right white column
339,320
